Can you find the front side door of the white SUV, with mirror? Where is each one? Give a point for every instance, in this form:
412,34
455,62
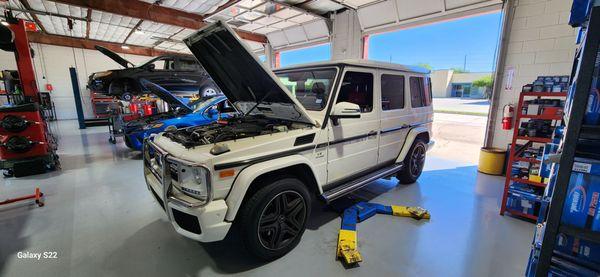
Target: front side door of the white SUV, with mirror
353,142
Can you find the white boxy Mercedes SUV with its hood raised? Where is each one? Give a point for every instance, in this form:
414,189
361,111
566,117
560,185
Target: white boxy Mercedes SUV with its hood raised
317,131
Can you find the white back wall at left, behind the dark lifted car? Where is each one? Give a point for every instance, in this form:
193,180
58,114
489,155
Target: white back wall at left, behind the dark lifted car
52,66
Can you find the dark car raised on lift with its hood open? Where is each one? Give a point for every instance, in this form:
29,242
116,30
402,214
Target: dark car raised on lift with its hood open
178,73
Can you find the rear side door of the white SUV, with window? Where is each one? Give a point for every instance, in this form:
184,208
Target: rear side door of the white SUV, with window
396,115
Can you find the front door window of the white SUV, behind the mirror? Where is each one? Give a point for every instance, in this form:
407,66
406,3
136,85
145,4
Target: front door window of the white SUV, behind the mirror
357,88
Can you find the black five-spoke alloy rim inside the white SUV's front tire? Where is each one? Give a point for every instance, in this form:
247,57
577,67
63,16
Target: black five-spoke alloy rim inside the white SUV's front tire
282,220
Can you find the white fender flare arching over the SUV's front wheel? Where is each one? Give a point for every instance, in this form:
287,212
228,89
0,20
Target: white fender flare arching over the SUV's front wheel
245,178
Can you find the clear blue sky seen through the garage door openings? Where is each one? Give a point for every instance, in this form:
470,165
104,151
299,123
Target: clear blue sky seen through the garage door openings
442,45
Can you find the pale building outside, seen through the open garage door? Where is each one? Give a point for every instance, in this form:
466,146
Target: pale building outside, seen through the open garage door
447,83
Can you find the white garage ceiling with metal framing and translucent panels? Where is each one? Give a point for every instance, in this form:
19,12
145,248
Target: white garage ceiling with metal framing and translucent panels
285,23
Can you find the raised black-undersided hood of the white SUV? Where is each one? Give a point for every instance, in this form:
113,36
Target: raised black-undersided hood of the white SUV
241,76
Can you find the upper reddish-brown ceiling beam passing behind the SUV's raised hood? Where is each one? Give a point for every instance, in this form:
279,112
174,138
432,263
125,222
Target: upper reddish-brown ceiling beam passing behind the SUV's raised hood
156,13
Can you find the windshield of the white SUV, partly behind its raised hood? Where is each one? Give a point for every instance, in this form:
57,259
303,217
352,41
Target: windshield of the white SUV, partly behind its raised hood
311,87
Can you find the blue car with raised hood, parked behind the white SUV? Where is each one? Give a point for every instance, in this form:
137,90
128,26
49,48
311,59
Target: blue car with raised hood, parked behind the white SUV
196,113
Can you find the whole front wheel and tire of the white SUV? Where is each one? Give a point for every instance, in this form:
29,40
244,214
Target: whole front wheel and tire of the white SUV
274,218
